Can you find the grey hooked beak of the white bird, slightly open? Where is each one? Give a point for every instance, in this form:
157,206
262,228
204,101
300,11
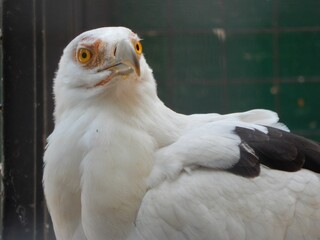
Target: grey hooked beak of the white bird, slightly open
126,61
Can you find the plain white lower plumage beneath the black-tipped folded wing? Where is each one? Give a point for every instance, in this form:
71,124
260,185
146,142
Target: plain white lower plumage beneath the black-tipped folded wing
202,205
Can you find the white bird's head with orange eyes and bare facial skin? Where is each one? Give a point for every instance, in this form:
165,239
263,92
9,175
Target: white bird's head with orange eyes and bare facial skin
101,62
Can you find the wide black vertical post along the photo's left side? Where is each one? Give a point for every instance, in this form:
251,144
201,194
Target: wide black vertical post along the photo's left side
20,113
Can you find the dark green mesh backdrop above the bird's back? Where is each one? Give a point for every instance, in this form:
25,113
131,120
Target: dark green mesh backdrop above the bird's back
233,55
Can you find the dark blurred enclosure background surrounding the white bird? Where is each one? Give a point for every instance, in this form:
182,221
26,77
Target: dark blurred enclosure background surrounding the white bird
207,55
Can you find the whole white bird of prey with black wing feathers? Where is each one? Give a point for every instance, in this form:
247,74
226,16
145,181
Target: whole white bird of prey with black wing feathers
121,165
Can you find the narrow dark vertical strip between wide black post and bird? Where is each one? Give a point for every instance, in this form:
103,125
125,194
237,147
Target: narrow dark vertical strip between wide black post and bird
39,84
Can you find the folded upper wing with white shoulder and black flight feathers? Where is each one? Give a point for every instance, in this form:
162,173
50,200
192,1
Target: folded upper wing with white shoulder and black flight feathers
237,147
